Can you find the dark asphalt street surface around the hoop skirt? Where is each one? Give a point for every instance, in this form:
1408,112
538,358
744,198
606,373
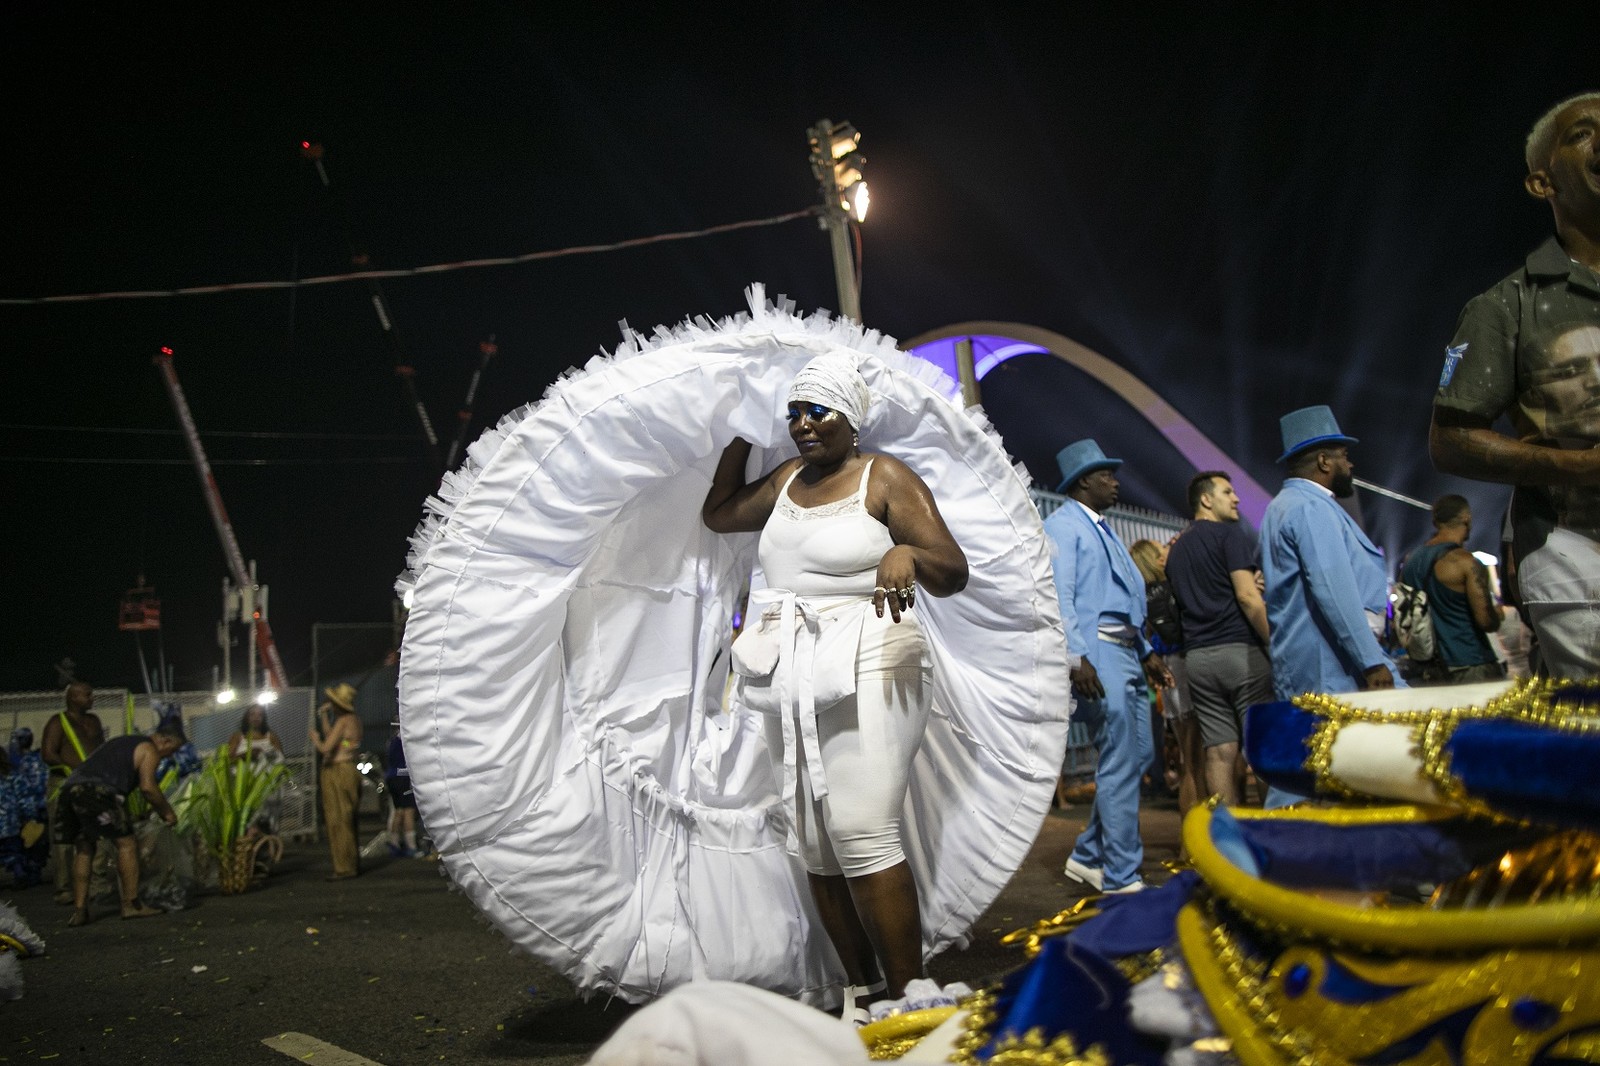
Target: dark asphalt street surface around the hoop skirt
394,968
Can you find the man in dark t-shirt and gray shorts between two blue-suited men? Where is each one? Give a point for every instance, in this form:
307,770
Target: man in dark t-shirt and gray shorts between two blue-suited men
1215,575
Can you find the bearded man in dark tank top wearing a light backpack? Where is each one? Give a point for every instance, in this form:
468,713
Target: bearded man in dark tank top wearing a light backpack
1460,606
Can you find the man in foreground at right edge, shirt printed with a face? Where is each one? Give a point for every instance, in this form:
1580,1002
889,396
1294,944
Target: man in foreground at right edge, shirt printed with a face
1530,350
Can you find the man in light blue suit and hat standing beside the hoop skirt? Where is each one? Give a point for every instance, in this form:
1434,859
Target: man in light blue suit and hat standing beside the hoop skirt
1103,612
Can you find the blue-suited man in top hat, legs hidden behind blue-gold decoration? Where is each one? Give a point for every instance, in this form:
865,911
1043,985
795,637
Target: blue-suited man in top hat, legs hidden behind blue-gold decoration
1327,588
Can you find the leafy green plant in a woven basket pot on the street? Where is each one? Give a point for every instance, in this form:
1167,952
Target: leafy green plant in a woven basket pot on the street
222,808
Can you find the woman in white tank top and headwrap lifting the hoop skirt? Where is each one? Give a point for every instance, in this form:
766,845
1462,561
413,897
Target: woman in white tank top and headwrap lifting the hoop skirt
849,534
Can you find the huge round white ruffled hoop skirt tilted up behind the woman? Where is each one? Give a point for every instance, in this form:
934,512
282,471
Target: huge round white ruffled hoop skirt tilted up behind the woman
566,659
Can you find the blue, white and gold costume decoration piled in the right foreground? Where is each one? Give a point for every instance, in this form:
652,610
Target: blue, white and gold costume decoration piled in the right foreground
1458,926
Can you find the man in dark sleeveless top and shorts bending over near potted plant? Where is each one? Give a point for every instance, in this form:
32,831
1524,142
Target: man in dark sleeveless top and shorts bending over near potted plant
94,806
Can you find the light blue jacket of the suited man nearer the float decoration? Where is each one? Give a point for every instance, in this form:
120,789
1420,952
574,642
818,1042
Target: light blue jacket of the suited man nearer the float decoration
1322,575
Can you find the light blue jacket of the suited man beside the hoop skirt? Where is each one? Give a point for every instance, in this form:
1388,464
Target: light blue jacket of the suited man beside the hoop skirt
1095,575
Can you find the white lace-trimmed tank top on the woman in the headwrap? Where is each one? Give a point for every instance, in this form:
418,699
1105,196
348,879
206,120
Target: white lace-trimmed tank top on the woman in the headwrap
831,550
